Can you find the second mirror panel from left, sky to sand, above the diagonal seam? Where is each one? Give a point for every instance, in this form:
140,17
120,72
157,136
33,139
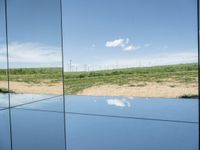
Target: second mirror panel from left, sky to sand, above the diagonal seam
34,50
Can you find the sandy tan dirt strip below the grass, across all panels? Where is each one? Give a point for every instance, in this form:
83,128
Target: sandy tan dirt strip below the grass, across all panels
166,90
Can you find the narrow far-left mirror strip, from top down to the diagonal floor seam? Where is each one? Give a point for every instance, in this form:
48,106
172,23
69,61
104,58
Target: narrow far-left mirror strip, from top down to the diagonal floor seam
4,102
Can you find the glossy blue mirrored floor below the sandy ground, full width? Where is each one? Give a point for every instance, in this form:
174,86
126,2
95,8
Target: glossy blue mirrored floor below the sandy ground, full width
103,123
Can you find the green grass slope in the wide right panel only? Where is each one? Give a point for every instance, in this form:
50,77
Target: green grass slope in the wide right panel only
182,73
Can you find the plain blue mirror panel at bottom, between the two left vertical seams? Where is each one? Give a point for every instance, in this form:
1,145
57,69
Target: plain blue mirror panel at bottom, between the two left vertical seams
37,130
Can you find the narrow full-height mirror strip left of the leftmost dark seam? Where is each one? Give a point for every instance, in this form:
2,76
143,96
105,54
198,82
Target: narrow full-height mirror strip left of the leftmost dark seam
5,138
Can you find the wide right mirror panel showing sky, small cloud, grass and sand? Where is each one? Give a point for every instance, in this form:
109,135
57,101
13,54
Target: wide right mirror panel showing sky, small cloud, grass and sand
122,50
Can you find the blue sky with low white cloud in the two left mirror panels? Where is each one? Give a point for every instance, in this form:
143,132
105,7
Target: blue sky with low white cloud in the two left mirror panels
33,33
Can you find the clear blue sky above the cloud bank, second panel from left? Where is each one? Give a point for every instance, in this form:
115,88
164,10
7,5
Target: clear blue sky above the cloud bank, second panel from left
34,21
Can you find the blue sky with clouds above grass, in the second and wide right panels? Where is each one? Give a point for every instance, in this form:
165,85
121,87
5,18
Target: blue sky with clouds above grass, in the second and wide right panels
104,32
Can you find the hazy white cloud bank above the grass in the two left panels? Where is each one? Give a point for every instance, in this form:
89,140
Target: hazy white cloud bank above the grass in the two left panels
31,53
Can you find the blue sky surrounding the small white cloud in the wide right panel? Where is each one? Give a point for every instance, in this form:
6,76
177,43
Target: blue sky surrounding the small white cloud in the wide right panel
155,29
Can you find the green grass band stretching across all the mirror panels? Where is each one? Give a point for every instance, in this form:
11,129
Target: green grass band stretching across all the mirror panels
75,82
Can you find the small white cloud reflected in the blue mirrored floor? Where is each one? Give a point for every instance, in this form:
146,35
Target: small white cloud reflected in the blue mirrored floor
119,102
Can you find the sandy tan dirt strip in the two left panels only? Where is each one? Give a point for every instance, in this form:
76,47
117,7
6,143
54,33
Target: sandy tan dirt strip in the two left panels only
22,87
